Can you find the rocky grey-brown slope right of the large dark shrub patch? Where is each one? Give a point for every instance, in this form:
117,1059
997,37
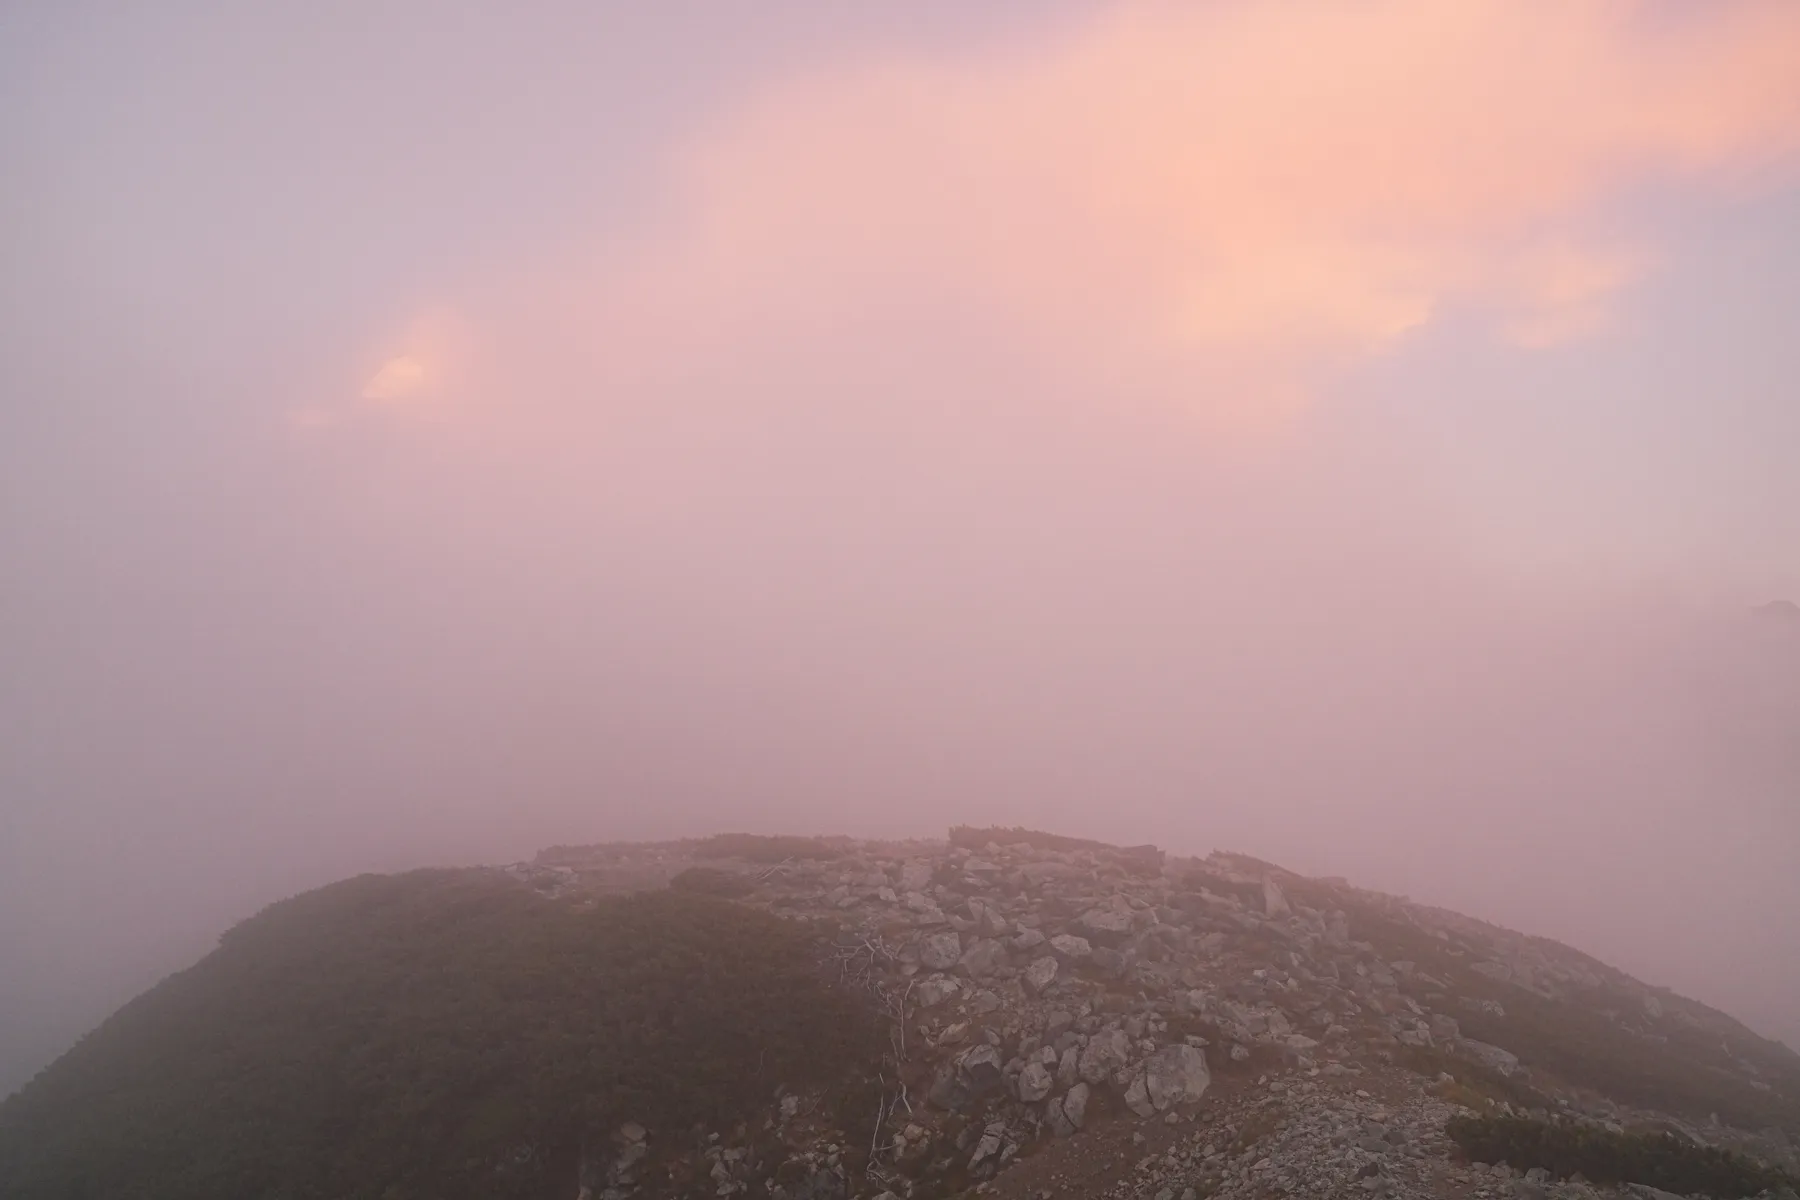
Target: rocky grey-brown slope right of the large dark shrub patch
1070,1019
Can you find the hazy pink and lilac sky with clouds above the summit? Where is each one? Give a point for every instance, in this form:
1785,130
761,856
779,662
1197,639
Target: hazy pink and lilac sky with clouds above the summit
1347,434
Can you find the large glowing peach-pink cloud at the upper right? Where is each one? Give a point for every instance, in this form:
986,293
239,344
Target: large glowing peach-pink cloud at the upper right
1252,193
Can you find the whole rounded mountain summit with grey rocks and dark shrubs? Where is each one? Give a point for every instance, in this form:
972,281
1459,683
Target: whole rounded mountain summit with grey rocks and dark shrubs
816,1019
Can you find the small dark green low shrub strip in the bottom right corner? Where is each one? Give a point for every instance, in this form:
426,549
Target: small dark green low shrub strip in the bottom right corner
1605,1158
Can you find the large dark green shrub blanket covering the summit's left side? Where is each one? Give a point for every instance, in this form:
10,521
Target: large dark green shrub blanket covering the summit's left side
442,1034
